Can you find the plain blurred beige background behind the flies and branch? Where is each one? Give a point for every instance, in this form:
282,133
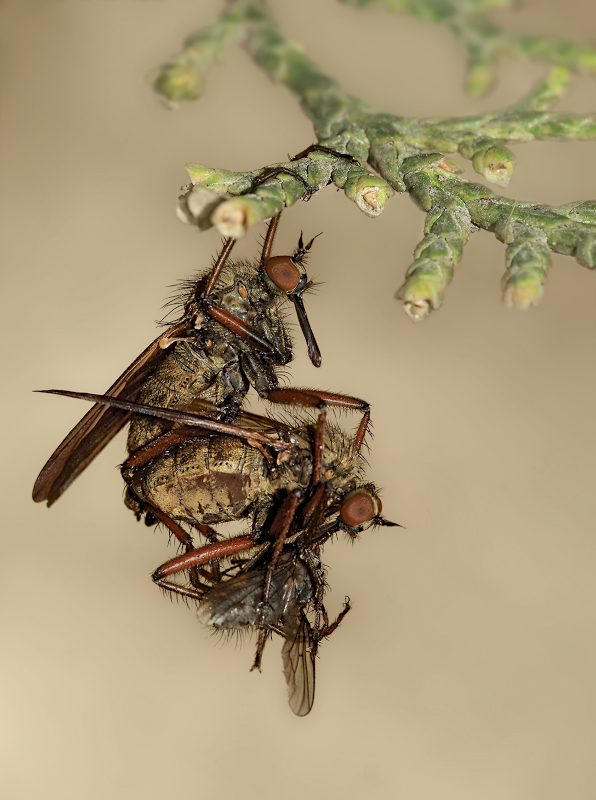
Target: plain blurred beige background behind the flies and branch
466,669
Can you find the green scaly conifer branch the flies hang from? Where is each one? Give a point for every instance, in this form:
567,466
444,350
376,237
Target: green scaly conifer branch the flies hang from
408,155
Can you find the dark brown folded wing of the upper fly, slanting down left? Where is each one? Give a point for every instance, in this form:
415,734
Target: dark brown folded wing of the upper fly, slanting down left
98,426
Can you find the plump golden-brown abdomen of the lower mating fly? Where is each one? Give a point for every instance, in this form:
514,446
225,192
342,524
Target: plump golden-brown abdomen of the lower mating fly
211,480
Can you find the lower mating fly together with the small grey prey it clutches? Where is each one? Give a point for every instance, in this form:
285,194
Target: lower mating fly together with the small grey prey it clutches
298,482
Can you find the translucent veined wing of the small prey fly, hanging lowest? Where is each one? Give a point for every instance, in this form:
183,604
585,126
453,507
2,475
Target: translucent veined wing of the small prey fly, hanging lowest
298,660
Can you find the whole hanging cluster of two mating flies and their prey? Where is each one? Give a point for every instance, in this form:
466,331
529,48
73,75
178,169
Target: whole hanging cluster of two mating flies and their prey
203,470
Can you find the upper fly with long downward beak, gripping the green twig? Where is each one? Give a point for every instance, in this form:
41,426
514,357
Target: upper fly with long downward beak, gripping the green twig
230,336
